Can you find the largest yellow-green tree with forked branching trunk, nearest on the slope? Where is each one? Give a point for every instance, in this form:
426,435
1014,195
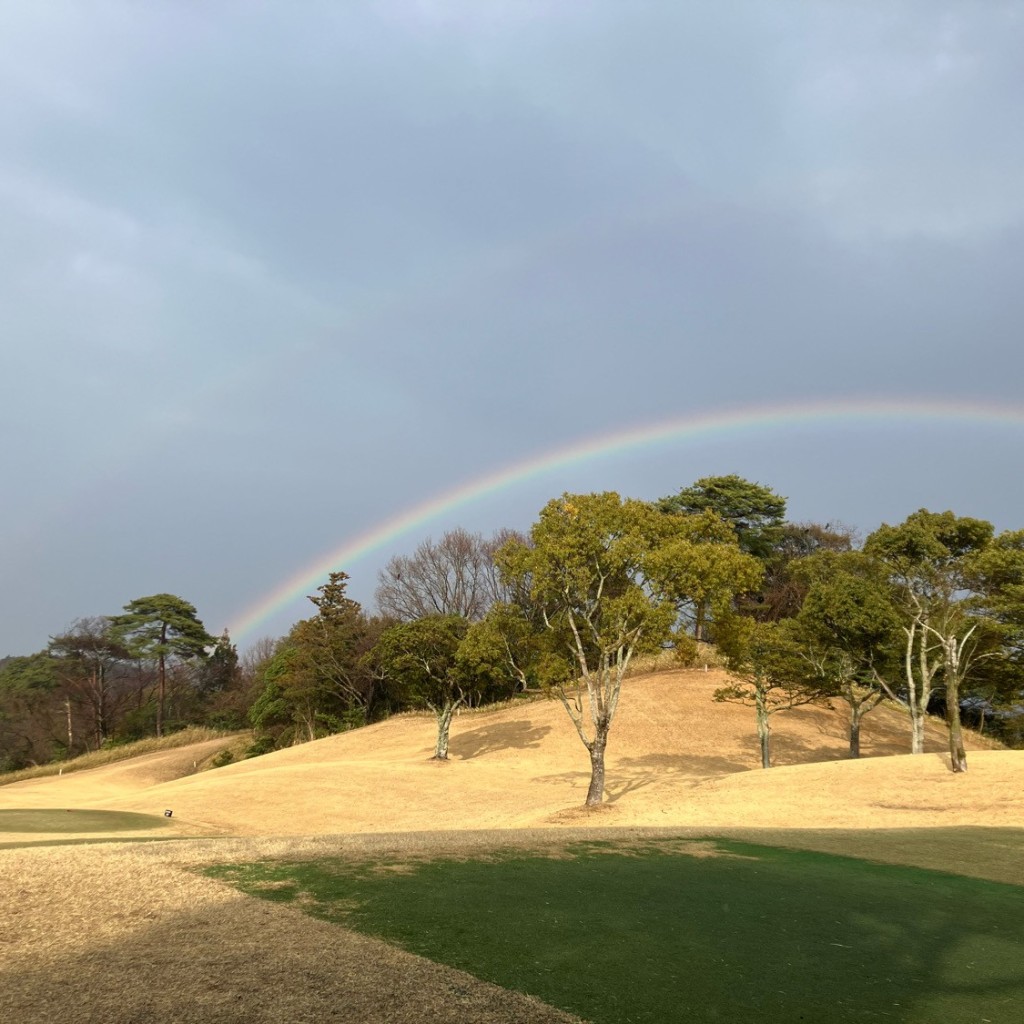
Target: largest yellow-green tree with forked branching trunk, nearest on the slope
587,572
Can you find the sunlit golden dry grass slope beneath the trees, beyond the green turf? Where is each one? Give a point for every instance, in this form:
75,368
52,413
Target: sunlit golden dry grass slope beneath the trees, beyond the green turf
675,758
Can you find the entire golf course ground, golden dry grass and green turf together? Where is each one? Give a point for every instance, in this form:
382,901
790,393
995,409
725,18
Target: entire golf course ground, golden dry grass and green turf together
355,879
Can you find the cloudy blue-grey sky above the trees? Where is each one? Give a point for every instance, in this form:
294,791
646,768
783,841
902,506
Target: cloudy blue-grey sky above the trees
277,274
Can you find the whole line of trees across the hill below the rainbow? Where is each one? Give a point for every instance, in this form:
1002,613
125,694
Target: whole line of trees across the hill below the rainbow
927,612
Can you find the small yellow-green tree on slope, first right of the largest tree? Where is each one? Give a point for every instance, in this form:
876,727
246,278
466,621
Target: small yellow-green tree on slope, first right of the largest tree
771,678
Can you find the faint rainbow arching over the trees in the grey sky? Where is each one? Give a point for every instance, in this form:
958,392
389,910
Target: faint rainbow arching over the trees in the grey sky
703,426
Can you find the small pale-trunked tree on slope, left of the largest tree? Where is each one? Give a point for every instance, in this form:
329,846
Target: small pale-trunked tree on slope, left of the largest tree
422,657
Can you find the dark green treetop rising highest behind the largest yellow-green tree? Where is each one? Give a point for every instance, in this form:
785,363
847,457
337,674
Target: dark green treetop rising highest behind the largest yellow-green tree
754,511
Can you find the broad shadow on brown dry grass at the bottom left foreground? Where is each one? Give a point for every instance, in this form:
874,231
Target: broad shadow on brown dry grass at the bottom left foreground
246,962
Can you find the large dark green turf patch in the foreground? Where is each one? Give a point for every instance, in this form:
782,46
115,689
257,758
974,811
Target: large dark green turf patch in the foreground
741,933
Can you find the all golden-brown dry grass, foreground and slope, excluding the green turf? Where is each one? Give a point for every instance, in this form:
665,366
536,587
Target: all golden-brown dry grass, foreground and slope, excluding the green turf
187,949
